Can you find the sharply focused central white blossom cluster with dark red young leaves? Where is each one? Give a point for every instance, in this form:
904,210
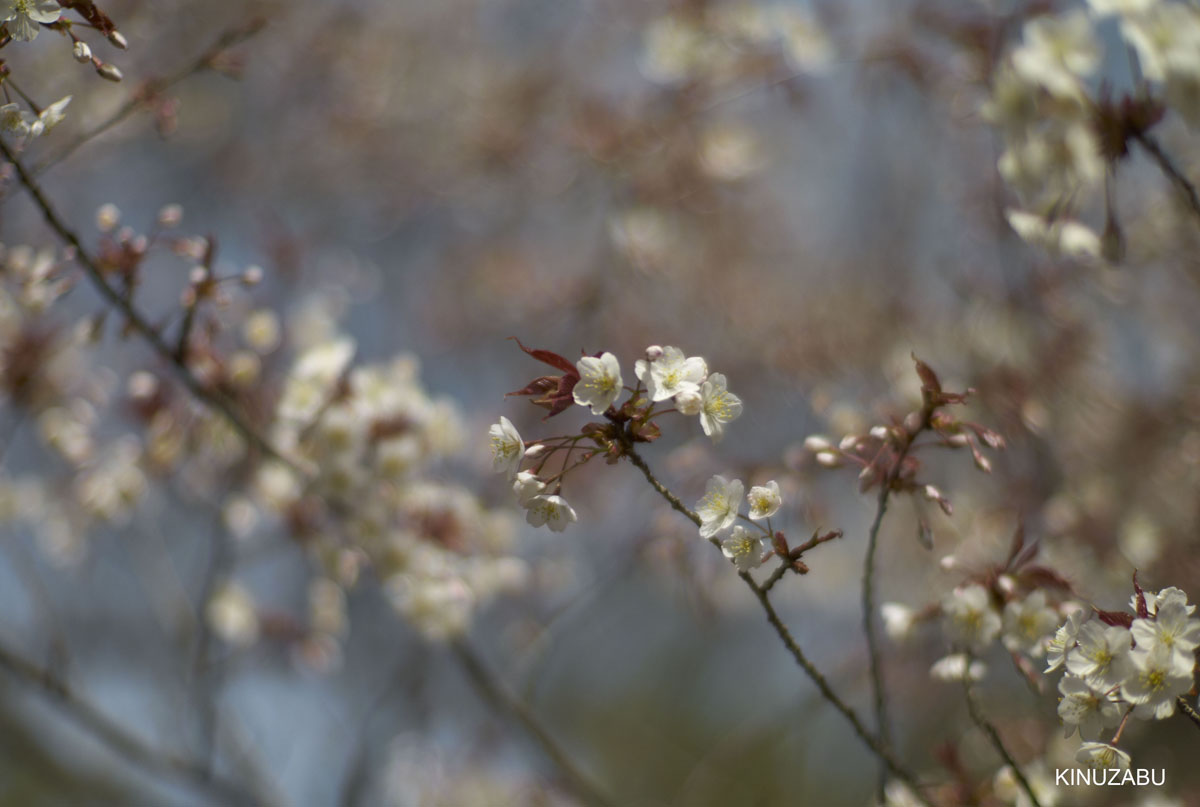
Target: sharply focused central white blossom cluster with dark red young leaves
668,382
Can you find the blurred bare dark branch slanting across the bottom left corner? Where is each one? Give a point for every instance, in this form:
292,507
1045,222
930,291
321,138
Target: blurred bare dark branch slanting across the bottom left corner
135,751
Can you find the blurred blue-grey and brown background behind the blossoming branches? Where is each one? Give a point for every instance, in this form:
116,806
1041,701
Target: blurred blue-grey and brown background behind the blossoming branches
805,198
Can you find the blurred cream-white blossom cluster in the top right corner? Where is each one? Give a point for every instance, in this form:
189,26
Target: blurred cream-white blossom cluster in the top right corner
1061,130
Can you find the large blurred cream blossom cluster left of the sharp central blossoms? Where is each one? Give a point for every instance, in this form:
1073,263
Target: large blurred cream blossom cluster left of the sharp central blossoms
369,437
